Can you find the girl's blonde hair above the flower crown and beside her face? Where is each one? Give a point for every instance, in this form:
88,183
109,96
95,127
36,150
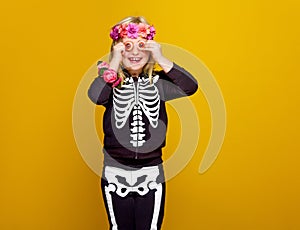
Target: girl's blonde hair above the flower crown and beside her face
148,68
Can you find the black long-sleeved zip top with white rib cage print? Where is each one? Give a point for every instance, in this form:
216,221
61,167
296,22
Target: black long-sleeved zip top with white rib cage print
135,119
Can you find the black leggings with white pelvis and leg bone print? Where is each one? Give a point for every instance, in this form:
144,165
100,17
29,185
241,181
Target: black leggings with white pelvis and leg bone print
134,199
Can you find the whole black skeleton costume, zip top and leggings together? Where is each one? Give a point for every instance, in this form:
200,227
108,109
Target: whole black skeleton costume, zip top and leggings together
135,124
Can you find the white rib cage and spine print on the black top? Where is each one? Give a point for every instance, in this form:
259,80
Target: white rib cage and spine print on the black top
137,98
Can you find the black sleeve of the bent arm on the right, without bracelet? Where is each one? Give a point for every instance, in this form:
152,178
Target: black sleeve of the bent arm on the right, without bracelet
178,83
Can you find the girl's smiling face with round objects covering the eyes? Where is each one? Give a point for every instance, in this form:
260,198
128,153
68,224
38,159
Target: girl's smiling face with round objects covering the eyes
134,57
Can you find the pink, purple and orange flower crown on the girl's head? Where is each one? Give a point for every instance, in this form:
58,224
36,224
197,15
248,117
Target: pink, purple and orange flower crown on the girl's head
132,30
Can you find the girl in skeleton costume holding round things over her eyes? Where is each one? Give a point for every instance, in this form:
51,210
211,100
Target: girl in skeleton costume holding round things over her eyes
135,123
